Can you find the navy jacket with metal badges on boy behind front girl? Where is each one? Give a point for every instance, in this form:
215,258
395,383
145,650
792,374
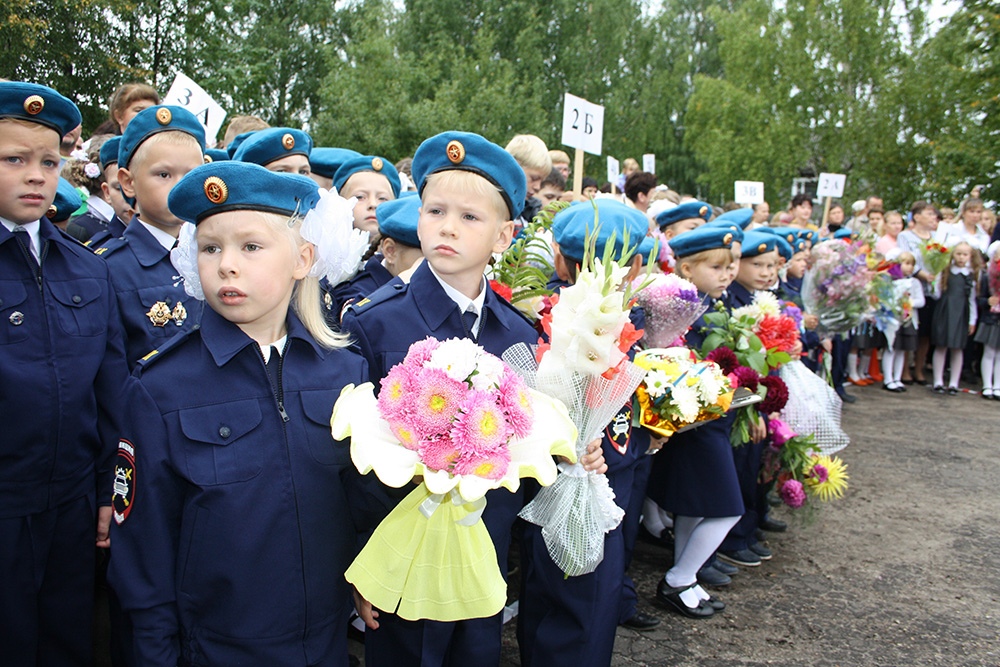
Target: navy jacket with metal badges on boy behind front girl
151,298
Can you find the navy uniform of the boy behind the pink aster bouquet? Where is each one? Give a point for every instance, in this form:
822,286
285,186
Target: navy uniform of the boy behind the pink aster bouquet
392,318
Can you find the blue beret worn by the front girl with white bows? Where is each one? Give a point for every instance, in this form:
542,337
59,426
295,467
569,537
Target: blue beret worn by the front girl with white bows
218,187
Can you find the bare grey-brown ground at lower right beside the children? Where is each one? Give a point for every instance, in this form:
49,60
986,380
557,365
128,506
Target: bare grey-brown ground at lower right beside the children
902,571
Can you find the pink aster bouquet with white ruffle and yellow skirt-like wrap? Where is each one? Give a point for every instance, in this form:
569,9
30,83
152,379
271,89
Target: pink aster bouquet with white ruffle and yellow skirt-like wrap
459,418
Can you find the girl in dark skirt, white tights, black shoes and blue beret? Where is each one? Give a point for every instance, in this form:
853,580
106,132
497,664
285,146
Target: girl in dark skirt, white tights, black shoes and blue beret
693,475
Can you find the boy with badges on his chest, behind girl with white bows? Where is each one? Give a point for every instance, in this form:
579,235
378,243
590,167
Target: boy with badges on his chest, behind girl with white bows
159,147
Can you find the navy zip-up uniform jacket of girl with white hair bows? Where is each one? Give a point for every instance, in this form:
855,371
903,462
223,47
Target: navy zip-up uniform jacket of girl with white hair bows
232,516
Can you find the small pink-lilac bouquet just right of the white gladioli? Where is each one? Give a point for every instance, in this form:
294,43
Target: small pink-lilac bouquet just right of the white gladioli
671,305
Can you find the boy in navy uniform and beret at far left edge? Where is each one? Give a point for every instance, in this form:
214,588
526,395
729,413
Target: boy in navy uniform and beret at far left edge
62,366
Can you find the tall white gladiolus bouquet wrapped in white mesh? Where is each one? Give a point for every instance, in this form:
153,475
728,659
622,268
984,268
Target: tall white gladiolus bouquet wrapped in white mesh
585,366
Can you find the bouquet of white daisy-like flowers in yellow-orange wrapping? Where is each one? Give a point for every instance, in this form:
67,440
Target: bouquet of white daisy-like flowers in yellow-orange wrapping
679,391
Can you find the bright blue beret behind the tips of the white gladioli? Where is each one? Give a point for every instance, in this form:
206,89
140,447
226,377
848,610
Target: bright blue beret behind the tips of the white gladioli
571,225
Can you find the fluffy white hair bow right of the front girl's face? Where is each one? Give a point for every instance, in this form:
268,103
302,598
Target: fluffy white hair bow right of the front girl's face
339,246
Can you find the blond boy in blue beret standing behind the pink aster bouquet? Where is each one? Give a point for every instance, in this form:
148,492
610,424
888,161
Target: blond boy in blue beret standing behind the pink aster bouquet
471,190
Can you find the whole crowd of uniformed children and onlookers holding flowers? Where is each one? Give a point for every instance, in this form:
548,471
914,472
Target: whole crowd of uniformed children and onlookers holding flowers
176,333
